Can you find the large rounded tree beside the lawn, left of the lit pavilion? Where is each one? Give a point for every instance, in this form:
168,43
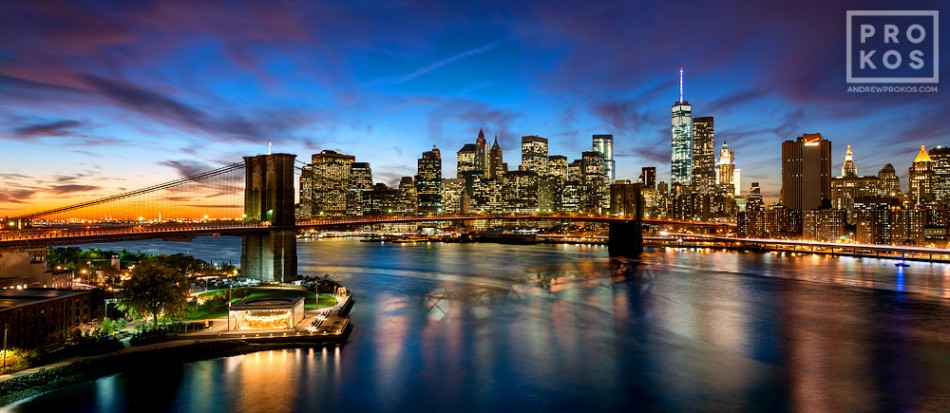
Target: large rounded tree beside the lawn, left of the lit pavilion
154,287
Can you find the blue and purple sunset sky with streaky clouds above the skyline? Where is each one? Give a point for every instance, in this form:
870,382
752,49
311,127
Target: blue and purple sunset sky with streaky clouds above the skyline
99,97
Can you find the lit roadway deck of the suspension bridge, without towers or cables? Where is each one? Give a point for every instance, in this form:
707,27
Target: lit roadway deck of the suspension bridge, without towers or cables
41,237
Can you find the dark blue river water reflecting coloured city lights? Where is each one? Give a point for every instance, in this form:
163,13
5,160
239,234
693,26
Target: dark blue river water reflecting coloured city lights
482,327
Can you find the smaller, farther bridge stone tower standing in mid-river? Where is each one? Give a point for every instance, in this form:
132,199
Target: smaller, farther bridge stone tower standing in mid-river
626,237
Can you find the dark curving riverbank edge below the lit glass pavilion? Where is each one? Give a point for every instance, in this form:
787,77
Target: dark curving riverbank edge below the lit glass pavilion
184,348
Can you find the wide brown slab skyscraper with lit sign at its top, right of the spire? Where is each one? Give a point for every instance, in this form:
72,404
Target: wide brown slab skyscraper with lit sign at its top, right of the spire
806,172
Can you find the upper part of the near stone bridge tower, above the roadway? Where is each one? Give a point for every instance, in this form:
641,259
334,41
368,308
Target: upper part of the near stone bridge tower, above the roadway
269,189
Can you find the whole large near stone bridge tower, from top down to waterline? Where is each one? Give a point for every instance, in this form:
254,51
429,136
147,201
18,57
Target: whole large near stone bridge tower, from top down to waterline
271,254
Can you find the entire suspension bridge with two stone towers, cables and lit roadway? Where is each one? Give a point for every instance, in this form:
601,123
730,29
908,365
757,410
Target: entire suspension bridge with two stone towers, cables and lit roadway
266,184
